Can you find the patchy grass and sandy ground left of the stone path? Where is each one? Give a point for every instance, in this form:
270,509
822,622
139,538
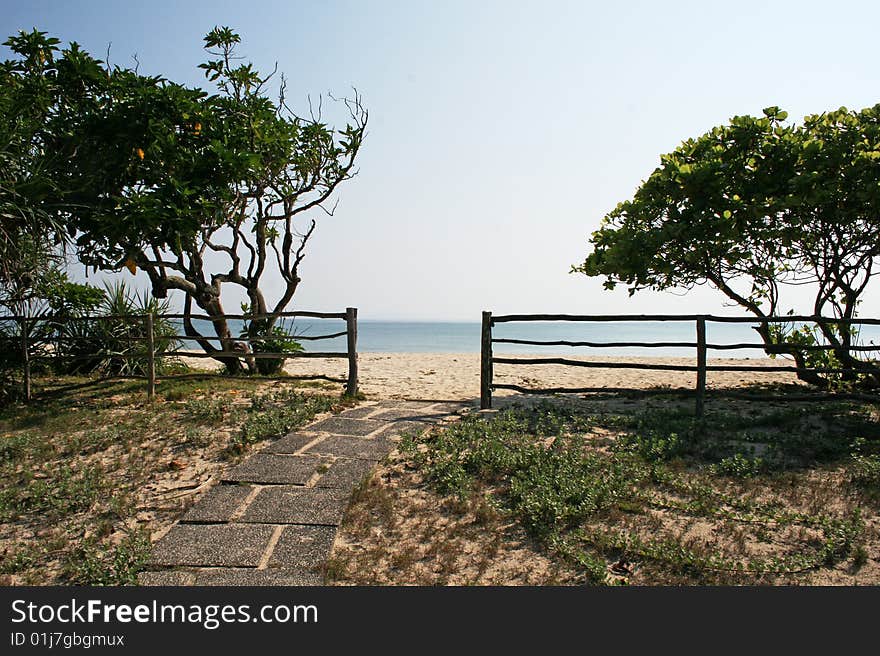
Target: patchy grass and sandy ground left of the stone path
92,469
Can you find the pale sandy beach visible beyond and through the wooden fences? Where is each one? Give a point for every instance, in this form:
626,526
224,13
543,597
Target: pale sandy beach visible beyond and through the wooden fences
456,376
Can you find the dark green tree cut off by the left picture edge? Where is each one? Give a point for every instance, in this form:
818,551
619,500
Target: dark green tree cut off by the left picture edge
32,239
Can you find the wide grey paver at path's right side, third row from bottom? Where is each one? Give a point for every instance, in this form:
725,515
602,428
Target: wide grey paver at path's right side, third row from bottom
286,504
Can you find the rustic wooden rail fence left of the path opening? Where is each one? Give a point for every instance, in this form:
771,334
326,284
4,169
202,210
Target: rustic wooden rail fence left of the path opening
150,355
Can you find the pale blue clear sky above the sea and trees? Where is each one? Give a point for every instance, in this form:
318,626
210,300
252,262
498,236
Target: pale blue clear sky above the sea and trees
500,133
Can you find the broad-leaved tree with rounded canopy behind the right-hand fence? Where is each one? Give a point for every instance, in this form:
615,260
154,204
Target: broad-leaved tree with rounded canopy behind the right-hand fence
753,208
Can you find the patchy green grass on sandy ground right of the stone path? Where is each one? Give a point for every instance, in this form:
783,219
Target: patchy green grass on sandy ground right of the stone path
639,494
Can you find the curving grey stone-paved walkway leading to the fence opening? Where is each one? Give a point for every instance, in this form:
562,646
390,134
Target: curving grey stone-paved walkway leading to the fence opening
273,518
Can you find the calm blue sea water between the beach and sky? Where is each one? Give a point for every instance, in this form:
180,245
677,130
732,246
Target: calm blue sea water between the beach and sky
448,337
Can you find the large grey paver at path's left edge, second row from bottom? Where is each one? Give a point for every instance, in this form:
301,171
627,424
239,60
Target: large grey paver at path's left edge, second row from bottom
221,545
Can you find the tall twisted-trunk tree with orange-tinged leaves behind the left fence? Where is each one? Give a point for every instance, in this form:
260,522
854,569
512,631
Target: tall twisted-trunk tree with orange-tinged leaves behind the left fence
171,179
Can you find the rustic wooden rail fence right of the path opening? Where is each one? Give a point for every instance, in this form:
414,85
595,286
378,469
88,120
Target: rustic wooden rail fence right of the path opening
701,367
